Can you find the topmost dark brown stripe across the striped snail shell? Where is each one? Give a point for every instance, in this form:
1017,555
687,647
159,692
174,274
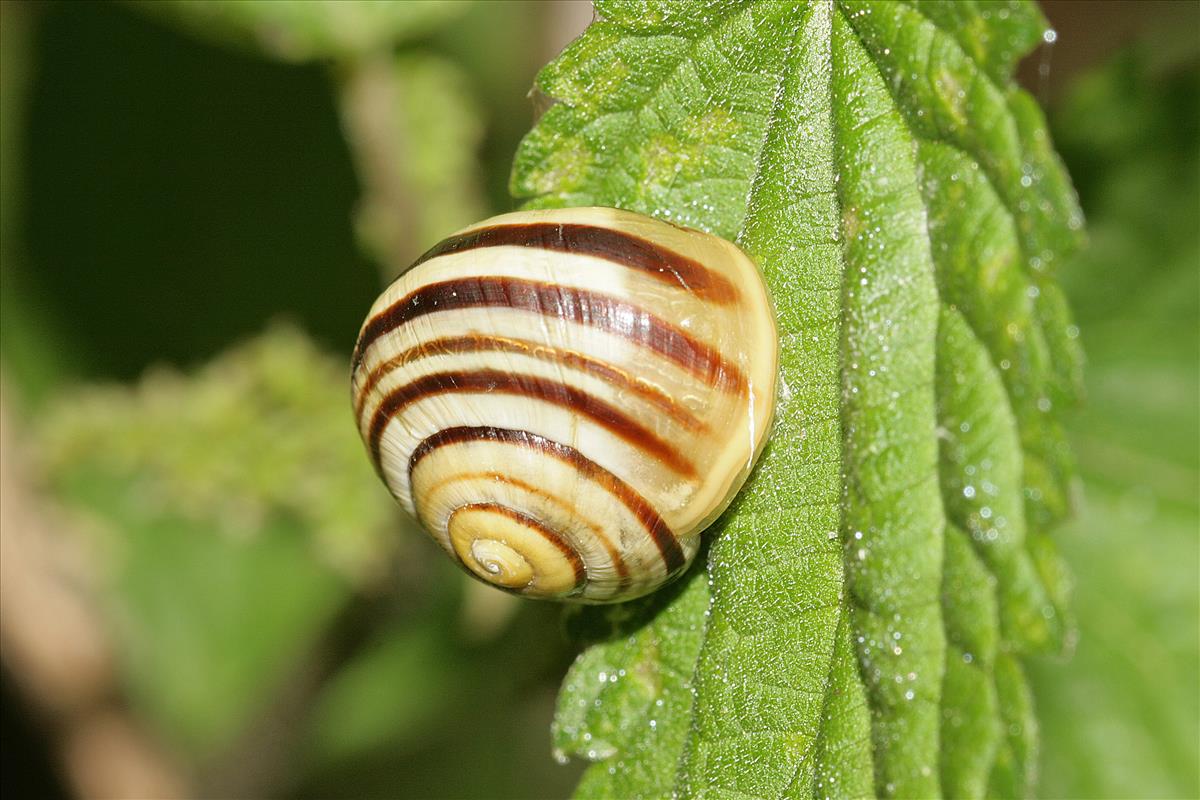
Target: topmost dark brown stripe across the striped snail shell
609,244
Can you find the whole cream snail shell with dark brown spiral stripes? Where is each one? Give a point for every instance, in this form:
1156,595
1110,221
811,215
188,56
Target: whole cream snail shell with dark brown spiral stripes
566,399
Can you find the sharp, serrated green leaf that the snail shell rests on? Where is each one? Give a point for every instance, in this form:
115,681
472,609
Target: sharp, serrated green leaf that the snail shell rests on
839,146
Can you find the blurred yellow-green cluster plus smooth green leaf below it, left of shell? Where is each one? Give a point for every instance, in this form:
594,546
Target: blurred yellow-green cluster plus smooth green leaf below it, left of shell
237,512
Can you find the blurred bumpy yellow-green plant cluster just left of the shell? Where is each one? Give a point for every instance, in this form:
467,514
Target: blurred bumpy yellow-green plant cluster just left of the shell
259,435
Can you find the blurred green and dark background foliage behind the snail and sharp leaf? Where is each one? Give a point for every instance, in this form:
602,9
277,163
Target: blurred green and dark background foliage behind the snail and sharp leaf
201,200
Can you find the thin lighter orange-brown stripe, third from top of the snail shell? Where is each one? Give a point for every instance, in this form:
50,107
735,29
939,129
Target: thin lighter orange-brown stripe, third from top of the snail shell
478,344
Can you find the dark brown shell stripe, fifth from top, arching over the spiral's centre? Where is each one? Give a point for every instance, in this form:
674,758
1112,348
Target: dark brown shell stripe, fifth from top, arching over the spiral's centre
664,539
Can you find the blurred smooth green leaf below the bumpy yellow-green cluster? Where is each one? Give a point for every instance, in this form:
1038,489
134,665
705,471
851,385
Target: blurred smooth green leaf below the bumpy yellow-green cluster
209,628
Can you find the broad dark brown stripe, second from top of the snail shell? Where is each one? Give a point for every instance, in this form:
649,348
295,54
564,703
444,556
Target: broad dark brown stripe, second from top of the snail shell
581,306
